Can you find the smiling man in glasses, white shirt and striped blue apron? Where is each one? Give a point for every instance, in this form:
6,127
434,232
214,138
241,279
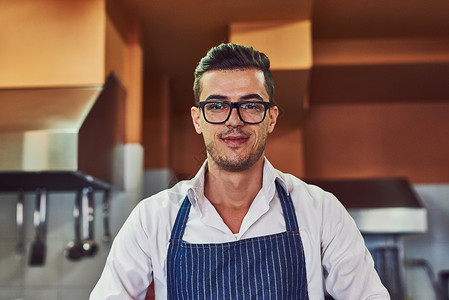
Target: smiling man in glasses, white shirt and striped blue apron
240,229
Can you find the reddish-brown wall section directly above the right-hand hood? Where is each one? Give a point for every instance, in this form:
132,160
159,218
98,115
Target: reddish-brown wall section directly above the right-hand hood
375,140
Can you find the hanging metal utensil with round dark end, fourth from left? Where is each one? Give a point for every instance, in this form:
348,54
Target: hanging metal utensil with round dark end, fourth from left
90,248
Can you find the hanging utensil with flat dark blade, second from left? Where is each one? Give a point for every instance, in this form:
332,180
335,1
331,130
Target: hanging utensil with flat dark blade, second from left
38,247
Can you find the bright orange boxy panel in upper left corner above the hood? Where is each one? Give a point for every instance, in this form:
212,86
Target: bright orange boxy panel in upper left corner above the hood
52,43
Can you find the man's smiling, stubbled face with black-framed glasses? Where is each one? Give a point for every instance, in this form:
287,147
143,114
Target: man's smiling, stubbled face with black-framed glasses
234,145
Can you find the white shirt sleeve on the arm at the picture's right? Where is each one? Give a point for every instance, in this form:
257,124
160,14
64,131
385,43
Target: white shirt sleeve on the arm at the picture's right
348,266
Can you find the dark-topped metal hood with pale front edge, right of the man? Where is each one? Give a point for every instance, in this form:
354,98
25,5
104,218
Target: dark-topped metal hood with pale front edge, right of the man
380,205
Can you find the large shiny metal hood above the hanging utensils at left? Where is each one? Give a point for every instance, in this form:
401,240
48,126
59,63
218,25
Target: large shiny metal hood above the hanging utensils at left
60,138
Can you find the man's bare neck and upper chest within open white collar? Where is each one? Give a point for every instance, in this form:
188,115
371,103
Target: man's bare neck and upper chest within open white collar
232,193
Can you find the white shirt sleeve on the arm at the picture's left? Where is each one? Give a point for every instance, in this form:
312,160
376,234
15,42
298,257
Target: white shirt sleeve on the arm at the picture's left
128,270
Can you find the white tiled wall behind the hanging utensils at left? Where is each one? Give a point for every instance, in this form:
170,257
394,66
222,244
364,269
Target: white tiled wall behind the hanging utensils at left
59,278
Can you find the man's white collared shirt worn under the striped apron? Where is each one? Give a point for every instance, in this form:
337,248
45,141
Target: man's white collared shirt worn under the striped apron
333,246
